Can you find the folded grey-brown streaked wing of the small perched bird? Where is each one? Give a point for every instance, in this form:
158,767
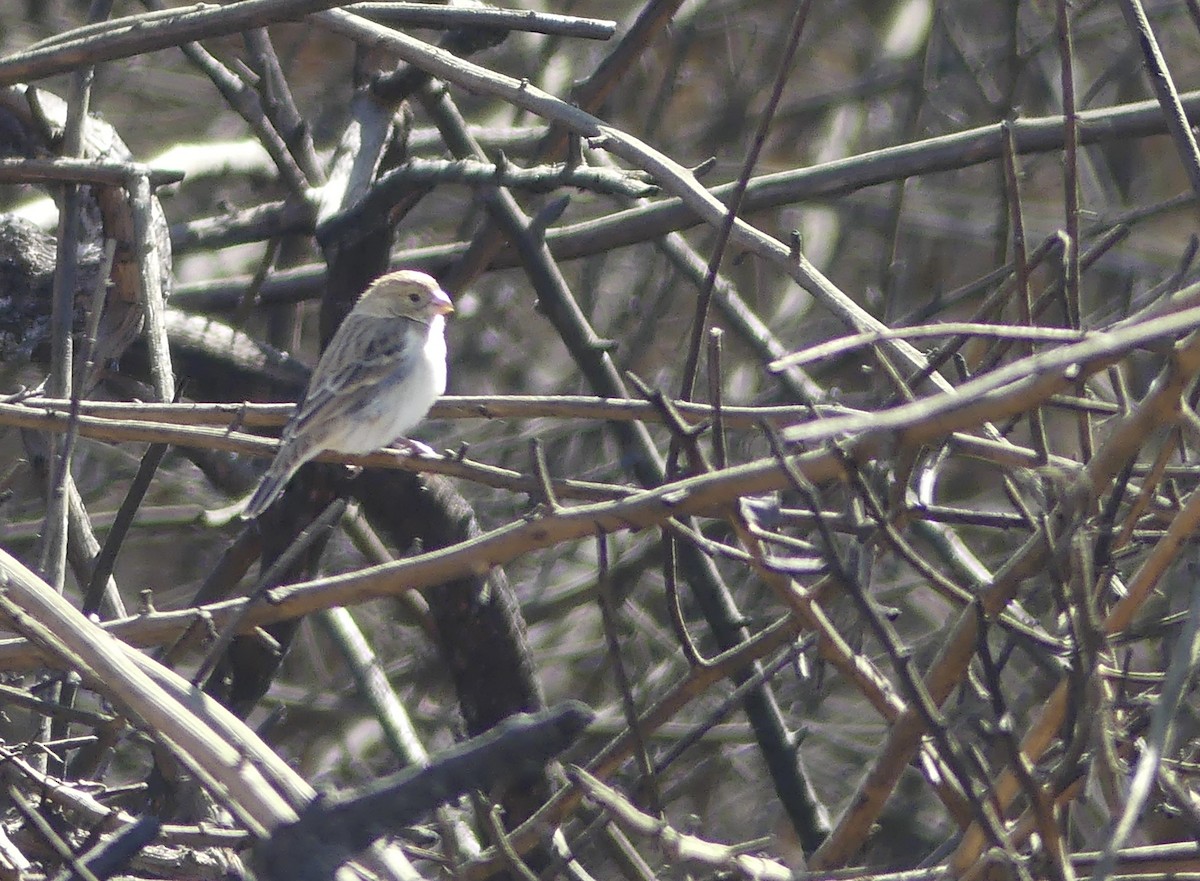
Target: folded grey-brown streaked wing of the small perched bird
363,353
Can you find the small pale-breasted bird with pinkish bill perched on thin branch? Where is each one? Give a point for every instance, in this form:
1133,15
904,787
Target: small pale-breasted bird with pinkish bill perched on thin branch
379,377
